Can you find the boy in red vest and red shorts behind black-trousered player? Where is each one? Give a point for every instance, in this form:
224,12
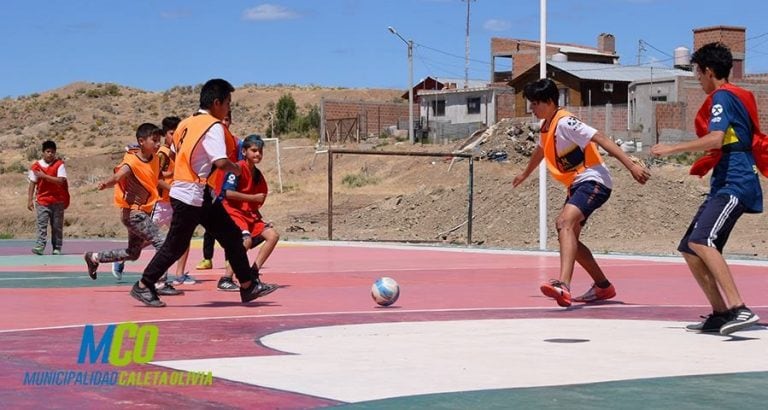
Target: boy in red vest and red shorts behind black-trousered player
243,197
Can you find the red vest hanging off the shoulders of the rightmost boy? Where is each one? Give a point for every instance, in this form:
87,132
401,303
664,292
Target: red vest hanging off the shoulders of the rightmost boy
759,140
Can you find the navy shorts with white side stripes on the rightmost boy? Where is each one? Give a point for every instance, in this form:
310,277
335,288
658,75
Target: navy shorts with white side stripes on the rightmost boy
713,223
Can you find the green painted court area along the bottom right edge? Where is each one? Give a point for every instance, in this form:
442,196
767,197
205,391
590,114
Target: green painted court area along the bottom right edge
719,391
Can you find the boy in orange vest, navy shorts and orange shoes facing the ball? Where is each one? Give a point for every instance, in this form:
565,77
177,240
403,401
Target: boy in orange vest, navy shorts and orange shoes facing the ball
570,149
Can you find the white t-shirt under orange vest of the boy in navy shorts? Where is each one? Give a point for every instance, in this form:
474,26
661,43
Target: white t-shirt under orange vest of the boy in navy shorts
572,132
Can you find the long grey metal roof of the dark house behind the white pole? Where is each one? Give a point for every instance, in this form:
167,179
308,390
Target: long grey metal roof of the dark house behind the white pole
616,72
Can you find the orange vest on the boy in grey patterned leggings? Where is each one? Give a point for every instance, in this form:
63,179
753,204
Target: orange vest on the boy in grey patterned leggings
138,190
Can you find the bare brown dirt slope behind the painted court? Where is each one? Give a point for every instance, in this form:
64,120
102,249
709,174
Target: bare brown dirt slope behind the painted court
417,199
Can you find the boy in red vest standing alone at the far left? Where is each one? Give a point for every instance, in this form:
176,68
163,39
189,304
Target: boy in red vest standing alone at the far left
48,180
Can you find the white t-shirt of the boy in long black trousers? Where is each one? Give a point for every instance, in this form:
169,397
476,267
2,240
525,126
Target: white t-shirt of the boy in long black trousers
212,148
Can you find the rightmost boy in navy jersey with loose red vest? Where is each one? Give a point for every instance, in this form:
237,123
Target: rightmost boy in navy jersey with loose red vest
725,125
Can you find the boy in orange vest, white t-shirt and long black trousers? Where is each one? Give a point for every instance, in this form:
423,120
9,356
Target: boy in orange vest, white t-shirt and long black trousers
204,150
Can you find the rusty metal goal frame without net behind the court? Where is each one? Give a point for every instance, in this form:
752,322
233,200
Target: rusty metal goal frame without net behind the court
470,179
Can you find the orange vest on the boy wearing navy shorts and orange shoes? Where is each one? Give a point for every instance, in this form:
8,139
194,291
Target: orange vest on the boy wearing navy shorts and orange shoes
559,167
